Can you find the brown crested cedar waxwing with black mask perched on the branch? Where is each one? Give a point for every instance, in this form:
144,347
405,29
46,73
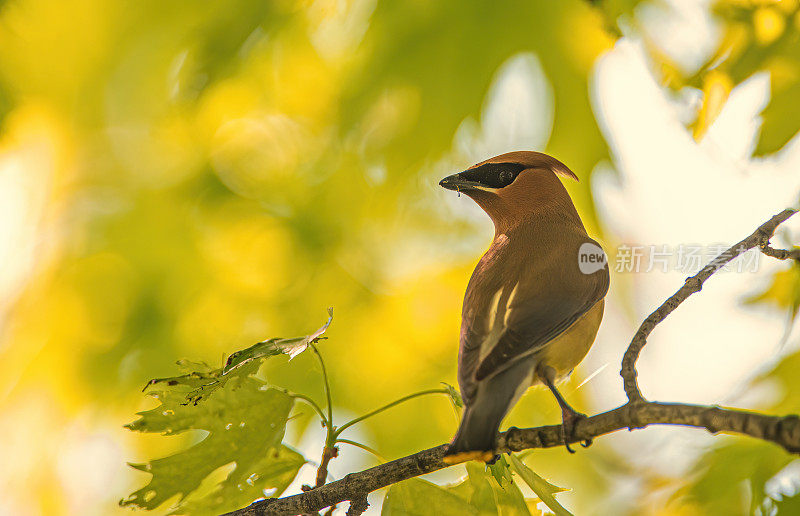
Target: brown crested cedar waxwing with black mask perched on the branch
534,302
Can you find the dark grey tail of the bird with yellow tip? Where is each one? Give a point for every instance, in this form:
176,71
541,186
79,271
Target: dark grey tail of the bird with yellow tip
476,435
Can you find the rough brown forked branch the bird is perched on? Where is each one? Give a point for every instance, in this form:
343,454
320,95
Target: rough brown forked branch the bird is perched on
637,413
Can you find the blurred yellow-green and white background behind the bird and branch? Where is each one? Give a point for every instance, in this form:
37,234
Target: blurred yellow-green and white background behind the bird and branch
182,179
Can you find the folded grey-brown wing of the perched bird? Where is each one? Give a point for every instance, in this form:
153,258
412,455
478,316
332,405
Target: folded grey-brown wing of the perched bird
539,308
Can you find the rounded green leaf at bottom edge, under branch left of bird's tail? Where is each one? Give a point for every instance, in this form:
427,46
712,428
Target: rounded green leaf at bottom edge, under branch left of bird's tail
420,497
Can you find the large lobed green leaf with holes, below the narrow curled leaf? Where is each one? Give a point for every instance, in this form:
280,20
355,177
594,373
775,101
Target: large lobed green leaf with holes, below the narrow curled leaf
245,420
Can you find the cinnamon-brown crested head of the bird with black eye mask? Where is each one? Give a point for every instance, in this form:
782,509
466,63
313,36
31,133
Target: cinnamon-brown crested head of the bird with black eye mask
516,186
